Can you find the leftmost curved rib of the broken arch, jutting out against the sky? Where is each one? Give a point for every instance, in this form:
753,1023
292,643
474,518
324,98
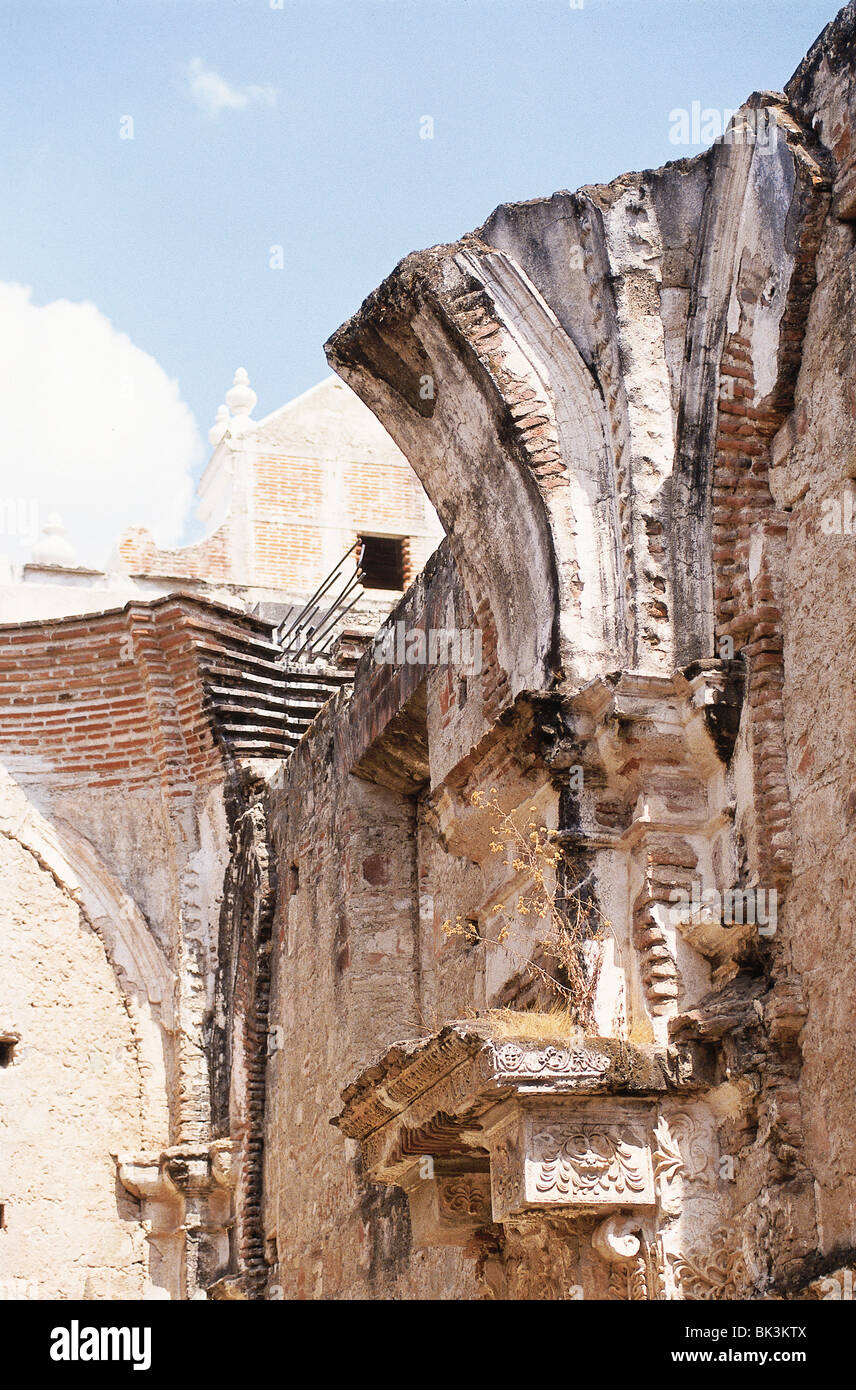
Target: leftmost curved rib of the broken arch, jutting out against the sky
473,376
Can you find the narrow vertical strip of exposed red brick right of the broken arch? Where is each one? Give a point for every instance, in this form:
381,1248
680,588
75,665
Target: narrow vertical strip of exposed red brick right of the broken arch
751,612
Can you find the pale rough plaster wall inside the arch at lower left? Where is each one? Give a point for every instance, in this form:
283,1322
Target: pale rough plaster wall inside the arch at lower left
70,1099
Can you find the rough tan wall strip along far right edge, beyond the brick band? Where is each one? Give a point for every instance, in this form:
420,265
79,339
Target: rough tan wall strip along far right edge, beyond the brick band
815,458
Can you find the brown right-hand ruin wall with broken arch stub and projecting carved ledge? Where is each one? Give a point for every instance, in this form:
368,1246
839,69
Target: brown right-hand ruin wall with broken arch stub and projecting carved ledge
648,389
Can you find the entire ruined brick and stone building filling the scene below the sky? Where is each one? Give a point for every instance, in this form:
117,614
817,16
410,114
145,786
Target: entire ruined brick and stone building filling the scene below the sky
259,1036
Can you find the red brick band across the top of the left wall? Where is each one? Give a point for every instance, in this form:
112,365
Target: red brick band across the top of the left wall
117,698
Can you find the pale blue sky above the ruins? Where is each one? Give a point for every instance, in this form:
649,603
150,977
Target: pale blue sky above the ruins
320,152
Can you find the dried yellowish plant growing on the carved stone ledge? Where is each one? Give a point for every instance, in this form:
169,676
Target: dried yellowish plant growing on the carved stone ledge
558,896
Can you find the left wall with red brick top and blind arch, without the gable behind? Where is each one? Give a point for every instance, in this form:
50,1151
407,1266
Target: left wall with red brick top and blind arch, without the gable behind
116,794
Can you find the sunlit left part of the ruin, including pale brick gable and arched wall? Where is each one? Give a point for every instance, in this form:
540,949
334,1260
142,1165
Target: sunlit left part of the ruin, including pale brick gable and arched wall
141,708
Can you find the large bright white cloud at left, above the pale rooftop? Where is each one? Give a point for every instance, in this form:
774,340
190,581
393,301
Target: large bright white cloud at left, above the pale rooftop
91,427
